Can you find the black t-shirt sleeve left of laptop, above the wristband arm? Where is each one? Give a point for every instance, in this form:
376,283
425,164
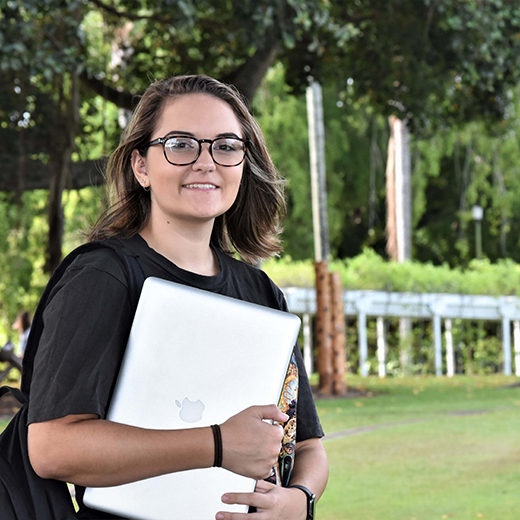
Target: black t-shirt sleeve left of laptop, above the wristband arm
86,325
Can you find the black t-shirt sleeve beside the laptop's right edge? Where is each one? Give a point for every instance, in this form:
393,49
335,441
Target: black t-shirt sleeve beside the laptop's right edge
308,422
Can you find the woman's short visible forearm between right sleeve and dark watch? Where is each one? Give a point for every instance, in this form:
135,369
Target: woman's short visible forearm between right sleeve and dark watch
311,468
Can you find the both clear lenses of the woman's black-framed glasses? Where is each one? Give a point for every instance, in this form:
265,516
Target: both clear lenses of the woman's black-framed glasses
225,151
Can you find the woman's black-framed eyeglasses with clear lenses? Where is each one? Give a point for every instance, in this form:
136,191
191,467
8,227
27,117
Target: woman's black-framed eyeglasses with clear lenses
182,150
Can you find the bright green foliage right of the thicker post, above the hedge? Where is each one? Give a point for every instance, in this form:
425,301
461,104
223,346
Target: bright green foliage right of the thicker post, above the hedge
460,167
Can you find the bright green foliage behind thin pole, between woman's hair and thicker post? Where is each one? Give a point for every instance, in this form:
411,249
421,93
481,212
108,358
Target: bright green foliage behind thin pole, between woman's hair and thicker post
355,145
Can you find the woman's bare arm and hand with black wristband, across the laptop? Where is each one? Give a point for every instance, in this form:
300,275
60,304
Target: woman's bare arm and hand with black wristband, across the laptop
89,451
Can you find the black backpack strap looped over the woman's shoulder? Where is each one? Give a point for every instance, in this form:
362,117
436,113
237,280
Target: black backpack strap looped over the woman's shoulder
135,282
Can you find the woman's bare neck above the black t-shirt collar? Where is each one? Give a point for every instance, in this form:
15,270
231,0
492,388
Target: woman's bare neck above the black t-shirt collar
187,246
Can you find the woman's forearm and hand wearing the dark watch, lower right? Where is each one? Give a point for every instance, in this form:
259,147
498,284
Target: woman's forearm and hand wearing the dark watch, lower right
310,470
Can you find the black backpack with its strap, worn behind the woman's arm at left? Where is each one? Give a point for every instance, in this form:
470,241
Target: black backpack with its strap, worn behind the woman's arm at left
23,494
